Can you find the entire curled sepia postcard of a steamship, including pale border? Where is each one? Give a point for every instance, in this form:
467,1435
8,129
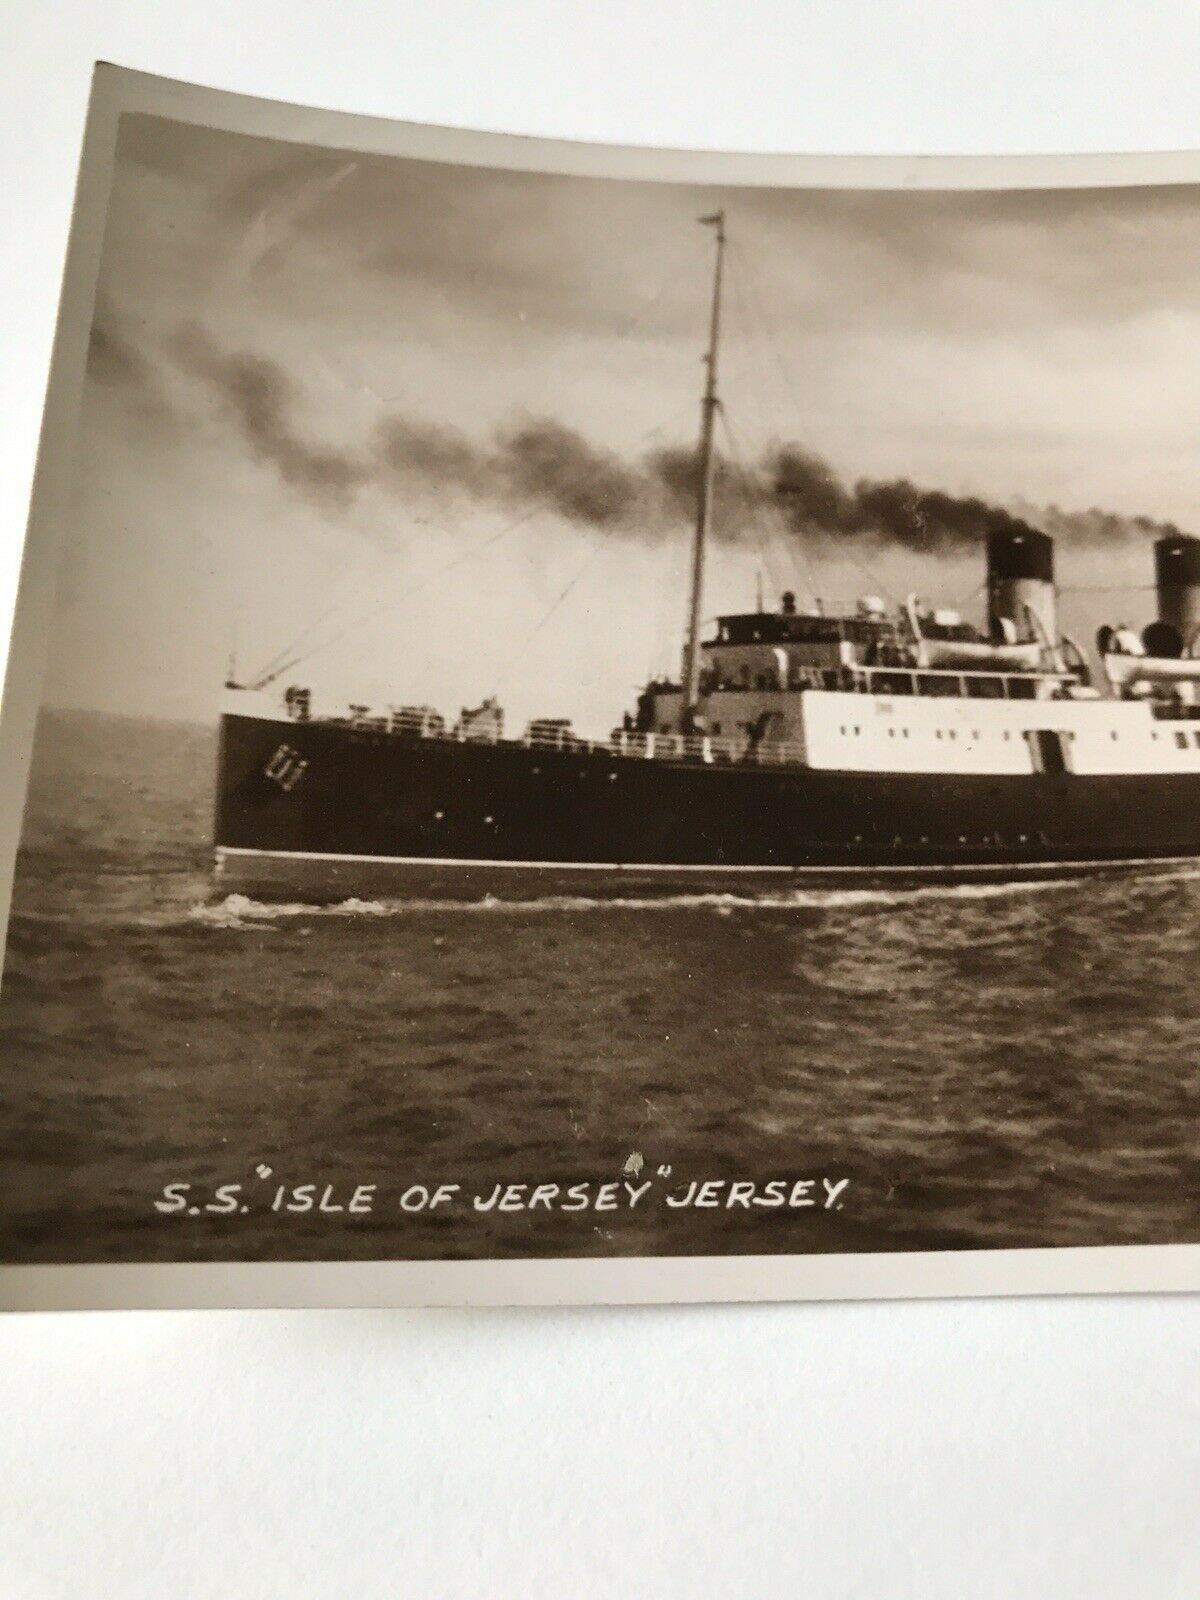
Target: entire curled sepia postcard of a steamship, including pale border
602,726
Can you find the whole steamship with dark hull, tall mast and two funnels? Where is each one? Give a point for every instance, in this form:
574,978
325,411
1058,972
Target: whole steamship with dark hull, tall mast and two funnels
798,746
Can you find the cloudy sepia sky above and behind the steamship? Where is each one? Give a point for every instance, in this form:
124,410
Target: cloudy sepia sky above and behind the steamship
310,372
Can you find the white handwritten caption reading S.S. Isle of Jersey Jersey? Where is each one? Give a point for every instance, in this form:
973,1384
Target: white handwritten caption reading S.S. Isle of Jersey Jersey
793,1194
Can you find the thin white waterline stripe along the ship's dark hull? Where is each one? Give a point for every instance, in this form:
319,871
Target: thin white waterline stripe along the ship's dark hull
666,866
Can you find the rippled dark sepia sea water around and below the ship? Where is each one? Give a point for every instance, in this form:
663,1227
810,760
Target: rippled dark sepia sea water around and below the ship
985,1066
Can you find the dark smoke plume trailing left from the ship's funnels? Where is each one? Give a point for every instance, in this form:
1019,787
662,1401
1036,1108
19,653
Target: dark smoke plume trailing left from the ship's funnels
540,463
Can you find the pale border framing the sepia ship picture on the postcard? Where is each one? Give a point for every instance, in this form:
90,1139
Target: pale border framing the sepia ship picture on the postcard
1119,1270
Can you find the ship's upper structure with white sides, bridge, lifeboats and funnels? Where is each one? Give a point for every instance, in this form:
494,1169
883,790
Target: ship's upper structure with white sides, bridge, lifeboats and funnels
868,692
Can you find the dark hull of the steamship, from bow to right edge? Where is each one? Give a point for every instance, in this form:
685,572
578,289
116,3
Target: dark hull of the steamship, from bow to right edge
327,810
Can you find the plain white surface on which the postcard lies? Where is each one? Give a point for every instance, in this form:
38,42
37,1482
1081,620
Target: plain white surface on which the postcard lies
937,1450
